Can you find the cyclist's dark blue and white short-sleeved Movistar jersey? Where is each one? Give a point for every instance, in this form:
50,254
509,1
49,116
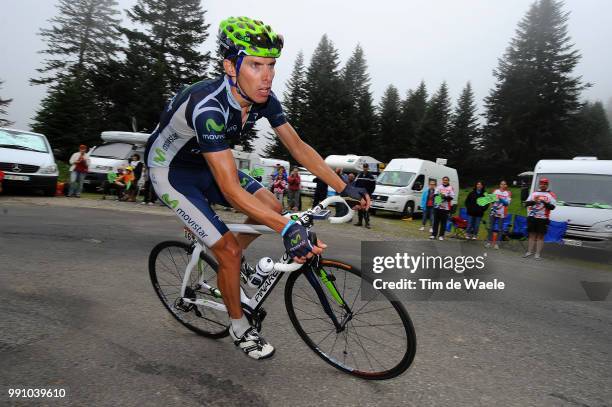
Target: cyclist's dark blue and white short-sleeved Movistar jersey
202,118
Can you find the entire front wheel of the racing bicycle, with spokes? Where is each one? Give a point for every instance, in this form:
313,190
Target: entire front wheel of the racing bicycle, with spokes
376,340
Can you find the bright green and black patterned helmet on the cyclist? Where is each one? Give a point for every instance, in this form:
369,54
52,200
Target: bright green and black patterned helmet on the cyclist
245,36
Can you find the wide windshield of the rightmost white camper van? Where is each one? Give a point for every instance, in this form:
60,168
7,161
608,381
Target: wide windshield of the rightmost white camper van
580,189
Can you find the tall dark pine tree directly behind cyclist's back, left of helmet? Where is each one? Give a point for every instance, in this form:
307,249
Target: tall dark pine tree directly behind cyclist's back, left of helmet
162,55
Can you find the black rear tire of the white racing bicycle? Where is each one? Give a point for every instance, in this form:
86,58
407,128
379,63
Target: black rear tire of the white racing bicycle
182,249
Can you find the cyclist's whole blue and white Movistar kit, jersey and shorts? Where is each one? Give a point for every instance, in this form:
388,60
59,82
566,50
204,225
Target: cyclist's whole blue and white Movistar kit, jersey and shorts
201,118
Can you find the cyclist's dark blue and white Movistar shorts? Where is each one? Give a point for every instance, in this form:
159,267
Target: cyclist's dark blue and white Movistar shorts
190,193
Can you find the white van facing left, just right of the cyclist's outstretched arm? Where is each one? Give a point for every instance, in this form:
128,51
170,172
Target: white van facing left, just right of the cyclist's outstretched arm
400,185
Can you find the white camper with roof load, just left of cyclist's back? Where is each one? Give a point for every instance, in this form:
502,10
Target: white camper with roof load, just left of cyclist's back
115,152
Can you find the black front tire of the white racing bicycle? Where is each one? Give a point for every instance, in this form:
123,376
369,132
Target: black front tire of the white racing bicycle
293,294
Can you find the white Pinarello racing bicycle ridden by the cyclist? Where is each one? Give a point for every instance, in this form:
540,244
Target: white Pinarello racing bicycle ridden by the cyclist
370,338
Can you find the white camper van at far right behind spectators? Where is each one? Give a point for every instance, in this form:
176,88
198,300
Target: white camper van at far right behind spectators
583,187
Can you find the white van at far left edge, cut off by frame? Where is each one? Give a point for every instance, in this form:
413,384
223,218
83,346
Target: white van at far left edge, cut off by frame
27,161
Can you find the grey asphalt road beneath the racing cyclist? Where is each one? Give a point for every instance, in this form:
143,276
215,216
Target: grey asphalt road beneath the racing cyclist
77,311
